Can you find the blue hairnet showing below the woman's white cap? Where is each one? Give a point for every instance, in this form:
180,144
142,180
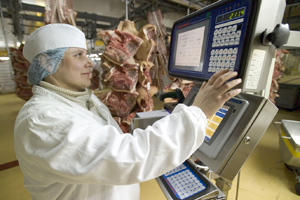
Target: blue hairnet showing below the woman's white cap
44,64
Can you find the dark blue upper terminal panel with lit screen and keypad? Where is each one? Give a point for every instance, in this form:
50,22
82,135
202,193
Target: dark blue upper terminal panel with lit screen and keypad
211,39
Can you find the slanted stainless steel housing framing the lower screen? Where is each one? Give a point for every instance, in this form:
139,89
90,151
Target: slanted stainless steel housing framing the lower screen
235,152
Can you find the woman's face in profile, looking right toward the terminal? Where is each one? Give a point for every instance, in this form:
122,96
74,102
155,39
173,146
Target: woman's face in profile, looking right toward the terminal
74,71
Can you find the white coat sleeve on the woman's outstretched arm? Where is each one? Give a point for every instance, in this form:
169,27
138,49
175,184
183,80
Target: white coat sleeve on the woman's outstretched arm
71,149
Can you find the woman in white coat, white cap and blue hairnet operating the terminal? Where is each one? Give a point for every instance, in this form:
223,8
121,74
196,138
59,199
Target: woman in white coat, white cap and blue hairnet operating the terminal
69,146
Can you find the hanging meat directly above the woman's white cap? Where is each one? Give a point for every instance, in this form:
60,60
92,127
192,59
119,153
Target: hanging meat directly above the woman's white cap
60,11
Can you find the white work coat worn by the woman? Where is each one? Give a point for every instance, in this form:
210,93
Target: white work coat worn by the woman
68,152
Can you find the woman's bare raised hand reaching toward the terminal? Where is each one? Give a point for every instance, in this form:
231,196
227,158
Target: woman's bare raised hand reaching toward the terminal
214,93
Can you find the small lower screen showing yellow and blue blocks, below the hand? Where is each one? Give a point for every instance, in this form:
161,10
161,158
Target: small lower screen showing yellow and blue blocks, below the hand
214,122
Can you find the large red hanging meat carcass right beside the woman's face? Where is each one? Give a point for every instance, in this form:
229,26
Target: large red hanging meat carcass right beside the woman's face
126,65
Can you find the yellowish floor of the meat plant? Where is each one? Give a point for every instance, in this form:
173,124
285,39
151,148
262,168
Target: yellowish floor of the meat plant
263,176
